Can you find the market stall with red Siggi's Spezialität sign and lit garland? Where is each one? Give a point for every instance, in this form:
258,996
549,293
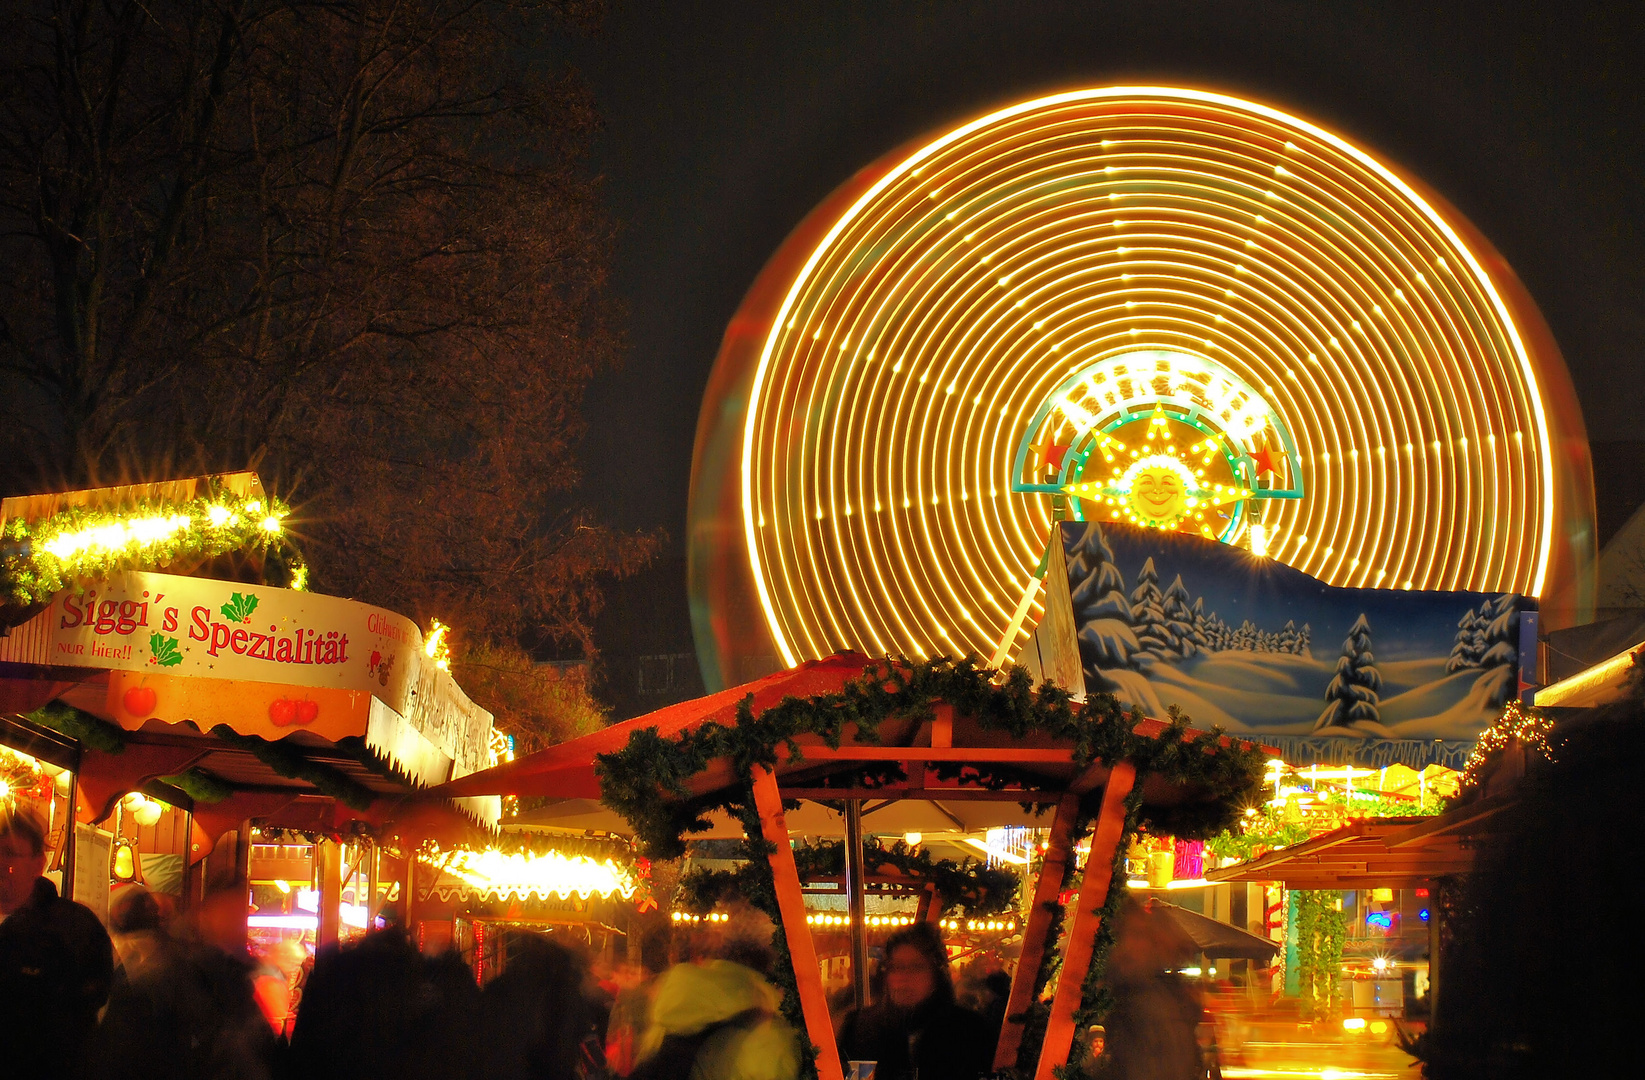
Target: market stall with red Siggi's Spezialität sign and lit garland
165,672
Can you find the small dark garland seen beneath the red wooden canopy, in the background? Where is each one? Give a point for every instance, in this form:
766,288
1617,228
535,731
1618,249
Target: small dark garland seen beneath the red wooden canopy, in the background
971,887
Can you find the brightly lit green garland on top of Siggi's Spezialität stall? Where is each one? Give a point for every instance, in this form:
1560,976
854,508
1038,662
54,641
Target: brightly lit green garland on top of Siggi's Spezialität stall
83,545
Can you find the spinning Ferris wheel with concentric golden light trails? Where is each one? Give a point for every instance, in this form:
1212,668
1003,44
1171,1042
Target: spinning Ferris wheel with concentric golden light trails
996,305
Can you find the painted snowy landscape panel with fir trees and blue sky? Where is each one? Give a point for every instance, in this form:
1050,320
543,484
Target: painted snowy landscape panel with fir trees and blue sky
1254,645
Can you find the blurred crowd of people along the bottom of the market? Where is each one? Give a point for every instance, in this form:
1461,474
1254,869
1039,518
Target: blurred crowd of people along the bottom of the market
157,997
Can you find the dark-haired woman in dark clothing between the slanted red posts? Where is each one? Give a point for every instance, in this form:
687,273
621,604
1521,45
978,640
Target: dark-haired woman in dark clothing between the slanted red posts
917,1032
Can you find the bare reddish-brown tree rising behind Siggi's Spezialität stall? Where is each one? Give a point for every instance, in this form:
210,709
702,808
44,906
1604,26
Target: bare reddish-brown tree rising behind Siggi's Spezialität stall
350,242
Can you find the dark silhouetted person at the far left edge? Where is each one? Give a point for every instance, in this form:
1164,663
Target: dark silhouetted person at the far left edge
57,961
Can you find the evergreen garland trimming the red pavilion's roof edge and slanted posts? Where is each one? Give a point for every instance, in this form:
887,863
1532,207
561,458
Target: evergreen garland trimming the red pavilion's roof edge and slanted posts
646,782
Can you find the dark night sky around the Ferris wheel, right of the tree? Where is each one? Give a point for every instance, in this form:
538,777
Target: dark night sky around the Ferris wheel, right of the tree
726,124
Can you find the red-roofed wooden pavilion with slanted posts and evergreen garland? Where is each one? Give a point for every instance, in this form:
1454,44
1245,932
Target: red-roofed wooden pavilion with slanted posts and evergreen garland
845,729
